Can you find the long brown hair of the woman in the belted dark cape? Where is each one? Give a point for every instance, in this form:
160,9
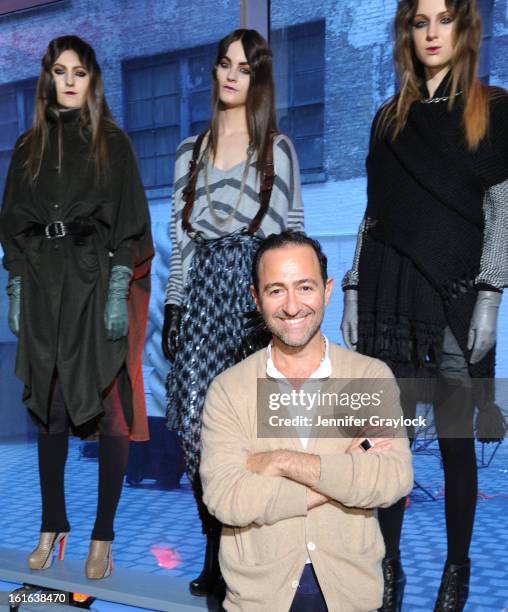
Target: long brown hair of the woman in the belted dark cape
95,116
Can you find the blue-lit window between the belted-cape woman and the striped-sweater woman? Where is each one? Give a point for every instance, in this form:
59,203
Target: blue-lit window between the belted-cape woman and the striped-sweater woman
167,98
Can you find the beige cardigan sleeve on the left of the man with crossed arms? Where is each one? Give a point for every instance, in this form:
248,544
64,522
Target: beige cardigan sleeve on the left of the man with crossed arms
232,493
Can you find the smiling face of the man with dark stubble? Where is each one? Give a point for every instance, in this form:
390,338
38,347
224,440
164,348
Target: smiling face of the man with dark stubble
292,296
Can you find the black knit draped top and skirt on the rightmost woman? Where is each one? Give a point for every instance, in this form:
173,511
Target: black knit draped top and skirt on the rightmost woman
424,234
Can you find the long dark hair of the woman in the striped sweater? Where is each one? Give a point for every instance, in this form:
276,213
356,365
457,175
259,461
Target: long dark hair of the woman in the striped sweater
260,106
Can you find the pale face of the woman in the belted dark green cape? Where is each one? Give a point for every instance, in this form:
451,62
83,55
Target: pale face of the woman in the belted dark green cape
71,80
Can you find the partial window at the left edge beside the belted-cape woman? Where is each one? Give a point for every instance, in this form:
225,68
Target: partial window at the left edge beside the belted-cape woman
16,111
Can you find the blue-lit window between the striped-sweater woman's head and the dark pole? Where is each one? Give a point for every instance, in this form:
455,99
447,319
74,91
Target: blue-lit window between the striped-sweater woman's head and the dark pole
299,66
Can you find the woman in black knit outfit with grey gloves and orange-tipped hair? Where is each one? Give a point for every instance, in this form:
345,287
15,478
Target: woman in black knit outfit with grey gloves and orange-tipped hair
432,256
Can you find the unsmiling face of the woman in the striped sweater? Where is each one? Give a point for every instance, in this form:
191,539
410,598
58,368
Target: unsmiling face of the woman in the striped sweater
233,76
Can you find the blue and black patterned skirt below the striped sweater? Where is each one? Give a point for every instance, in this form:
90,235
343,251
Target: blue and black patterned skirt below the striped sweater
213,332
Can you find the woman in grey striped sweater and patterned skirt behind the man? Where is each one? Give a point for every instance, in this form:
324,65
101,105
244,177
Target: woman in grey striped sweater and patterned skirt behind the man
233,185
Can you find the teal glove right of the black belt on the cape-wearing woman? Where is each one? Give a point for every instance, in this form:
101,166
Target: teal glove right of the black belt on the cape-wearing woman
116,318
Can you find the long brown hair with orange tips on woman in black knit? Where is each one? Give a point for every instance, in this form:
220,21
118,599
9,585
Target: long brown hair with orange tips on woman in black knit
464,66
